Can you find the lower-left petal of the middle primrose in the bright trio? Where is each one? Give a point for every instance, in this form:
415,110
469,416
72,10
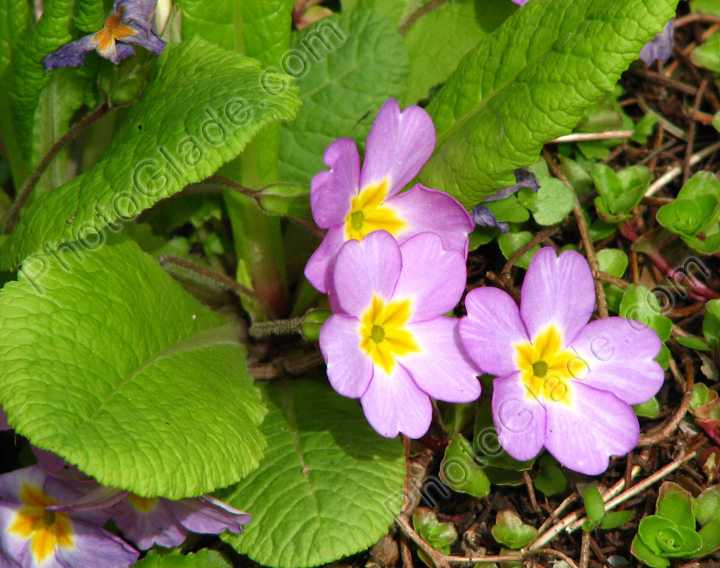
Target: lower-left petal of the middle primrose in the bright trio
349,369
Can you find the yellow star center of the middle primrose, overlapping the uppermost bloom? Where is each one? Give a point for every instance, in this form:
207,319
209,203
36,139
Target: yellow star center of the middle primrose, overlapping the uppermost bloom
383,334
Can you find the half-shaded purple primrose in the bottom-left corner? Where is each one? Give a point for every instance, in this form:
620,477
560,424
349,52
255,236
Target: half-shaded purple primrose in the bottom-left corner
33,535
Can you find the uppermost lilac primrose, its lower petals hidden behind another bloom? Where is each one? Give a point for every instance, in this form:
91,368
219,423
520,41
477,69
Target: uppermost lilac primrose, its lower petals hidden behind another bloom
351,203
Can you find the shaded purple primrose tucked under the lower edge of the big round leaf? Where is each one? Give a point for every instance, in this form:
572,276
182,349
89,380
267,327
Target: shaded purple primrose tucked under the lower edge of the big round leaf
156,520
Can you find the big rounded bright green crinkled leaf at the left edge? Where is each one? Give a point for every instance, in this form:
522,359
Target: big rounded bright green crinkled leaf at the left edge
108,362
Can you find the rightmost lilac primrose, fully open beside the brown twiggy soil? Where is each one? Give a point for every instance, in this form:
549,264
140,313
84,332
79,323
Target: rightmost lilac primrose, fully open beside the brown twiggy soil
563,383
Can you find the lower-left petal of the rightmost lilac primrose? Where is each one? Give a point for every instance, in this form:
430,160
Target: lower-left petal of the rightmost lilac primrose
519,418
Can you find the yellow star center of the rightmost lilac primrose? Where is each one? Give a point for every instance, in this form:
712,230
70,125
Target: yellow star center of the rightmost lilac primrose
546,368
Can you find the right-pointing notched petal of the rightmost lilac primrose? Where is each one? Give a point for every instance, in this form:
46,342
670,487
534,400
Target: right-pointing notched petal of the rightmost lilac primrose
619,354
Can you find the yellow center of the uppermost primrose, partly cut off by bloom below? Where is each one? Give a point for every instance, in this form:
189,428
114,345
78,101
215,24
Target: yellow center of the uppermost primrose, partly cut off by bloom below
369,213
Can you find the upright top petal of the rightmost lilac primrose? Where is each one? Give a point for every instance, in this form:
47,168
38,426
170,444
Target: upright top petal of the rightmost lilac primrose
560,290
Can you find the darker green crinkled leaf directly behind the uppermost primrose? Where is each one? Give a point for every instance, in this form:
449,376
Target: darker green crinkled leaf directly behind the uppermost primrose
343,79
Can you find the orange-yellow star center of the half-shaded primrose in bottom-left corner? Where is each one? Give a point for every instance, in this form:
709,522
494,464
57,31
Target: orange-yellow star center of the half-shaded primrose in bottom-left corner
47,529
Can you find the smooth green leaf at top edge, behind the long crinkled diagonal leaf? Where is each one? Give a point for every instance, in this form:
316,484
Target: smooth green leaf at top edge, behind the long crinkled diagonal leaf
439,39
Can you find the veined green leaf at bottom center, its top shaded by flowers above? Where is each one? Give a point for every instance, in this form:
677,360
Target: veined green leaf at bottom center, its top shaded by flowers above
328,485
